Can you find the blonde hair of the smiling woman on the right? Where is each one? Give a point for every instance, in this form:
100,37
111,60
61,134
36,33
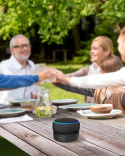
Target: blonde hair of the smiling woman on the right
105,42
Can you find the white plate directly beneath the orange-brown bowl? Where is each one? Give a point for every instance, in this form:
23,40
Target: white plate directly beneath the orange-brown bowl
90,114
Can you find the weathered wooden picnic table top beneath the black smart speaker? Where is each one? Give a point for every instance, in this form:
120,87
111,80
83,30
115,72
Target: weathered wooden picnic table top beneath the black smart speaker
97,137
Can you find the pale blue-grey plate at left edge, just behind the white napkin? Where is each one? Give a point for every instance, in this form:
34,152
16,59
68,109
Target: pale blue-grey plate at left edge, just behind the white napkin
7,112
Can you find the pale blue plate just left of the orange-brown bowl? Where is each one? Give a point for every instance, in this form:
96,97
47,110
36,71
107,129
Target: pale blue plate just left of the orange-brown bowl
80,106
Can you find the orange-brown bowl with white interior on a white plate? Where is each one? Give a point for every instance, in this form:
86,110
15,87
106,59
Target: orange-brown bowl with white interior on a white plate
101,108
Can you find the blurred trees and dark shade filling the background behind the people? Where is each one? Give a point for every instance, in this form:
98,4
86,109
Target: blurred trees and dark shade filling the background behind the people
54,25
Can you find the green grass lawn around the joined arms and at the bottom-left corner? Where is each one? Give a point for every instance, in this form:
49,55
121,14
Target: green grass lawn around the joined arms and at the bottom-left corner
8,149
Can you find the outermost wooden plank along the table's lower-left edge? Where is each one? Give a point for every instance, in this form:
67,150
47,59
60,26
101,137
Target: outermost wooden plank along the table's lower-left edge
20,143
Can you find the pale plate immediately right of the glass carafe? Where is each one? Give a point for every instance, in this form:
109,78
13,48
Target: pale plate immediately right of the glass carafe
64,101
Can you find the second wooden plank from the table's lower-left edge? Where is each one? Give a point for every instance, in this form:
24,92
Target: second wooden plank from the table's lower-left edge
39,142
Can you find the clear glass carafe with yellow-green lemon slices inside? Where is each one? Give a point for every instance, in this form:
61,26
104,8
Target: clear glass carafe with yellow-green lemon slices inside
43,103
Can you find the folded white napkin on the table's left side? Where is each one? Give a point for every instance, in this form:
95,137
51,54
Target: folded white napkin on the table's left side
16,119
